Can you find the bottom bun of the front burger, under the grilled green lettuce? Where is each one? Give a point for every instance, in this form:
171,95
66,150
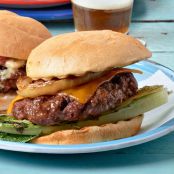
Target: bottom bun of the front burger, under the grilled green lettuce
93,134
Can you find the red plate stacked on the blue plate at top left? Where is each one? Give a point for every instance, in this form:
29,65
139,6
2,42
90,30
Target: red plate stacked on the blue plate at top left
33,2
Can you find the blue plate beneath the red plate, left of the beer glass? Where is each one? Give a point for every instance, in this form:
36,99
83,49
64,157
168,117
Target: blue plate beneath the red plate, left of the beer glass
47,14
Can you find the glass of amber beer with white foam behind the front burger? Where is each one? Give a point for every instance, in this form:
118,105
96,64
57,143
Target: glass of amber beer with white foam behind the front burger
102,14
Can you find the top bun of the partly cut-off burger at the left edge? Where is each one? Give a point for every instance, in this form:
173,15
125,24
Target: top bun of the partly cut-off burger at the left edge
19,35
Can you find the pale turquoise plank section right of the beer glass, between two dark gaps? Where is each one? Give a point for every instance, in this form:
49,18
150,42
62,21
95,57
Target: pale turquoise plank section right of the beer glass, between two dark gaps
159,36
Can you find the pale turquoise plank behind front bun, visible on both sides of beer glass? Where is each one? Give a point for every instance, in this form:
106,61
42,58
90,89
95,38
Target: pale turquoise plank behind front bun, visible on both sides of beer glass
159,36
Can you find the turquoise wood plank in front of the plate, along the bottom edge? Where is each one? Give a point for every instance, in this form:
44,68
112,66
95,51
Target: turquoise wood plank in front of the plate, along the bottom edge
107,162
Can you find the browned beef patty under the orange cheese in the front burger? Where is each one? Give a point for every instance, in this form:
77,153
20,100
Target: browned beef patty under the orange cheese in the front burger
52,110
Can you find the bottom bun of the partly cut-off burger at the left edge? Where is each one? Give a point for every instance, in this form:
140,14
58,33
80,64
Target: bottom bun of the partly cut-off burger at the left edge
5,100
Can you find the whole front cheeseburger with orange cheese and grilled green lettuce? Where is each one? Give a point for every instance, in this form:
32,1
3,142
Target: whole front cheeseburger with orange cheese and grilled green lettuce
77,91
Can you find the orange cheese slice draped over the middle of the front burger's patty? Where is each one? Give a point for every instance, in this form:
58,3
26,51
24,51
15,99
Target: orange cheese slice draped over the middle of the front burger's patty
84,92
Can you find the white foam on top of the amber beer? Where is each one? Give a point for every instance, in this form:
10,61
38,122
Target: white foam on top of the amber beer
104,4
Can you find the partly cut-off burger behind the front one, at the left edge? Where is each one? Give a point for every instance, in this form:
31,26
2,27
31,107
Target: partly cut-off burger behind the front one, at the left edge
18,36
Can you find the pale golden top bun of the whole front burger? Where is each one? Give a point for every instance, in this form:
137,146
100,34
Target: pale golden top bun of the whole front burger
81,52
